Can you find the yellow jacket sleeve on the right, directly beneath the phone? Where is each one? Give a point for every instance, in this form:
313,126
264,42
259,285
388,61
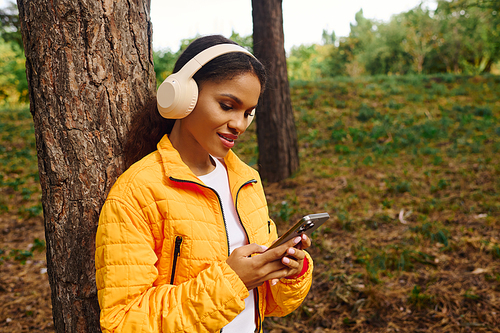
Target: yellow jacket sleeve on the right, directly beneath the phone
288,294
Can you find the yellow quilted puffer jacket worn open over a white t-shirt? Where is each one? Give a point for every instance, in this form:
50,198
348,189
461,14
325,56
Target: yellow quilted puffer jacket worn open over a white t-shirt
162,249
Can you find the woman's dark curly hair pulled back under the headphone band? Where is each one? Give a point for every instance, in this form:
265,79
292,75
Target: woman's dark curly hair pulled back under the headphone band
148,127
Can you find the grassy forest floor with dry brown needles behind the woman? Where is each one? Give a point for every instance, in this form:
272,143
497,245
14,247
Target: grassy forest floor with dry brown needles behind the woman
407,167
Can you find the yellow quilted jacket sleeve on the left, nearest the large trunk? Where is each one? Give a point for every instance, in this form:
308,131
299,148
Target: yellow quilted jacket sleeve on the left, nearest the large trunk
125,276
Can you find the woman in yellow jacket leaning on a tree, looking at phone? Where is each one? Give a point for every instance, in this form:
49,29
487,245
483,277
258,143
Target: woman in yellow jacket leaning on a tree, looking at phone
182,235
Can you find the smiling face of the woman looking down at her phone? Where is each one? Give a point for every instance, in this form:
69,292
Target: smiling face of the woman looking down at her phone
222,114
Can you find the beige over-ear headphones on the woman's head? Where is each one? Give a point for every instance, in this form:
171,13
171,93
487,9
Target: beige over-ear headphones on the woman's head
177,95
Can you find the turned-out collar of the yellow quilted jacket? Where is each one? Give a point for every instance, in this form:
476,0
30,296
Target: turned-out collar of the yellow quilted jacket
239,173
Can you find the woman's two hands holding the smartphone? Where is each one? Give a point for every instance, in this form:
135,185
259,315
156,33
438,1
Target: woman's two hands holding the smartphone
283,261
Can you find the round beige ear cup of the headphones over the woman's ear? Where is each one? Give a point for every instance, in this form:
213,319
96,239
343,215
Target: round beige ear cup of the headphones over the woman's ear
177,97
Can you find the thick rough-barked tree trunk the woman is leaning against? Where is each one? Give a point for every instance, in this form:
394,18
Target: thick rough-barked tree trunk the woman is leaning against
89,66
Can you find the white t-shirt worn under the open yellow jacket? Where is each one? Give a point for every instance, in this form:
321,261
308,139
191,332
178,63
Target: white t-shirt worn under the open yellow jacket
219,181
